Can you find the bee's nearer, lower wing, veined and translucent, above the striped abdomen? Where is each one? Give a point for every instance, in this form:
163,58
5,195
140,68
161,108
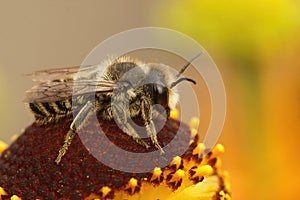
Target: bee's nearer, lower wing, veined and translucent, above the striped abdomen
61,90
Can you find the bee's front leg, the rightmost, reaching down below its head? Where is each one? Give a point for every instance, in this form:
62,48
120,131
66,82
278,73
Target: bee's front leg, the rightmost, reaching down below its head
150,128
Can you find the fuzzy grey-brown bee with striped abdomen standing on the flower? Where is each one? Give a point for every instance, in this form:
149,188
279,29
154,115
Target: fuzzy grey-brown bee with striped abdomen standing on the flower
119,89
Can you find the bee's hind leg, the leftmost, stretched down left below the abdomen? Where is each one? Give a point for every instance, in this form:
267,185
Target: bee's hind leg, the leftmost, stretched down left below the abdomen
77,123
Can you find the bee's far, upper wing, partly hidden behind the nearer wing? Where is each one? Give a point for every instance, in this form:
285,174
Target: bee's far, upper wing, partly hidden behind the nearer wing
63,73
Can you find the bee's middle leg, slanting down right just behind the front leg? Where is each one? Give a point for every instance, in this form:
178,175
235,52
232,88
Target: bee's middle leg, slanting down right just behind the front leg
121,118
